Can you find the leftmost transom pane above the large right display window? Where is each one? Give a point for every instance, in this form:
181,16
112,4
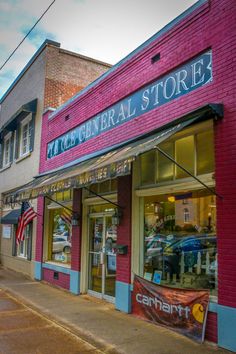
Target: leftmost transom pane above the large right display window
148,167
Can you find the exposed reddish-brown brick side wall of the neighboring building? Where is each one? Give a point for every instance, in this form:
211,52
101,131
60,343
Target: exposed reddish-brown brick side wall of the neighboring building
67,73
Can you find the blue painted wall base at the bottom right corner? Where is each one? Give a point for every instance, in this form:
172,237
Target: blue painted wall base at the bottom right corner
226,327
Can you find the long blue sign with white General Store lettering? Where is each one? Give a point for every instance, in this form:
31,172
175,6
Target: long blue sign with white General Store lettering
194,74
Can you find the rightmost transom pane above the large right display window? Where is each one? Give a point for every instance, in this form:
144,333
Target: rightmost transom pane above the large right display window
205,152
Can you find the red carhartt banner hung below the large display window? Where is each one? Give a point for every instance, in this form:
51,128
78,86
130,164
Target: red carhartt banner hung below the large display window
182,310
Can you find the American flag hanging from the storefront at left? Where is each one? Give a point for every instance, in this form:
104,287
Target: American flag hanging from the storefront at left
27,215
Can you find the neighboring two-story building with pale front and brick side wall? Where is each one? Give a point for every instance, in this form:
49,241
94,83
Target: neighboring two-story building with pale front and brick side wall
52,76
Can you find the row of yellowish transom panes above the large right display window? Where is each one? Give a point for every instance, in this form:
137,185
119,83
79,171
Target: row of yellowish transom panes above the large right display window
193,148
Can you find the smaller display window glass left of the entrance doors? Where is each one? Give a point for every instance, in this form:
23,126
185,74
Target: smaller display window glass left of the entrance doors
59,237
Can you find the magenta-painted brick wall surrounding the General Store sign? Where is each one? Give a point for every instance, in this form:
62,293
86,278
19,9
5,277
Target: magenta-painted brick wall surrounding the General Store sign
213,25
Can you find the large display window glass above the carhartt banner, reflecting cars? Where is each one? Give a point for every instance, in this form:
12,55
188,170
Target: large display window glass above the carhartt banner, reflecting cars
180,243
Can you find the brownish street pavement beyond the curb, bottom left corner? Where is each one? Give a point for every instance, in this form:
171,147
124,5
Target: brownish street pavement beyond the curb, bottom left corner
24,331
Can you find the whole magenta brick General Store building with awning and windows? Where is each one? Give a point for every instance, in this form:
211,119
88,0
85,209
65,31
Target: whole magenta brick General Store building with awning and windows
142,162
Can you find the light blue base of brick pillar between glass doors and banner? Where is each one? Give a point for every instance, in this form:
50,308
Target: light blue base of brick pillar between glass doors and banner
123,297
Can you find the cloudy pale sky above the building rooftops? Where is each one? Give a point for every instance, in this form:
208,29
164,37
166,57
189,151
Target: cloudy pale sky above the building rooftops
106,30
